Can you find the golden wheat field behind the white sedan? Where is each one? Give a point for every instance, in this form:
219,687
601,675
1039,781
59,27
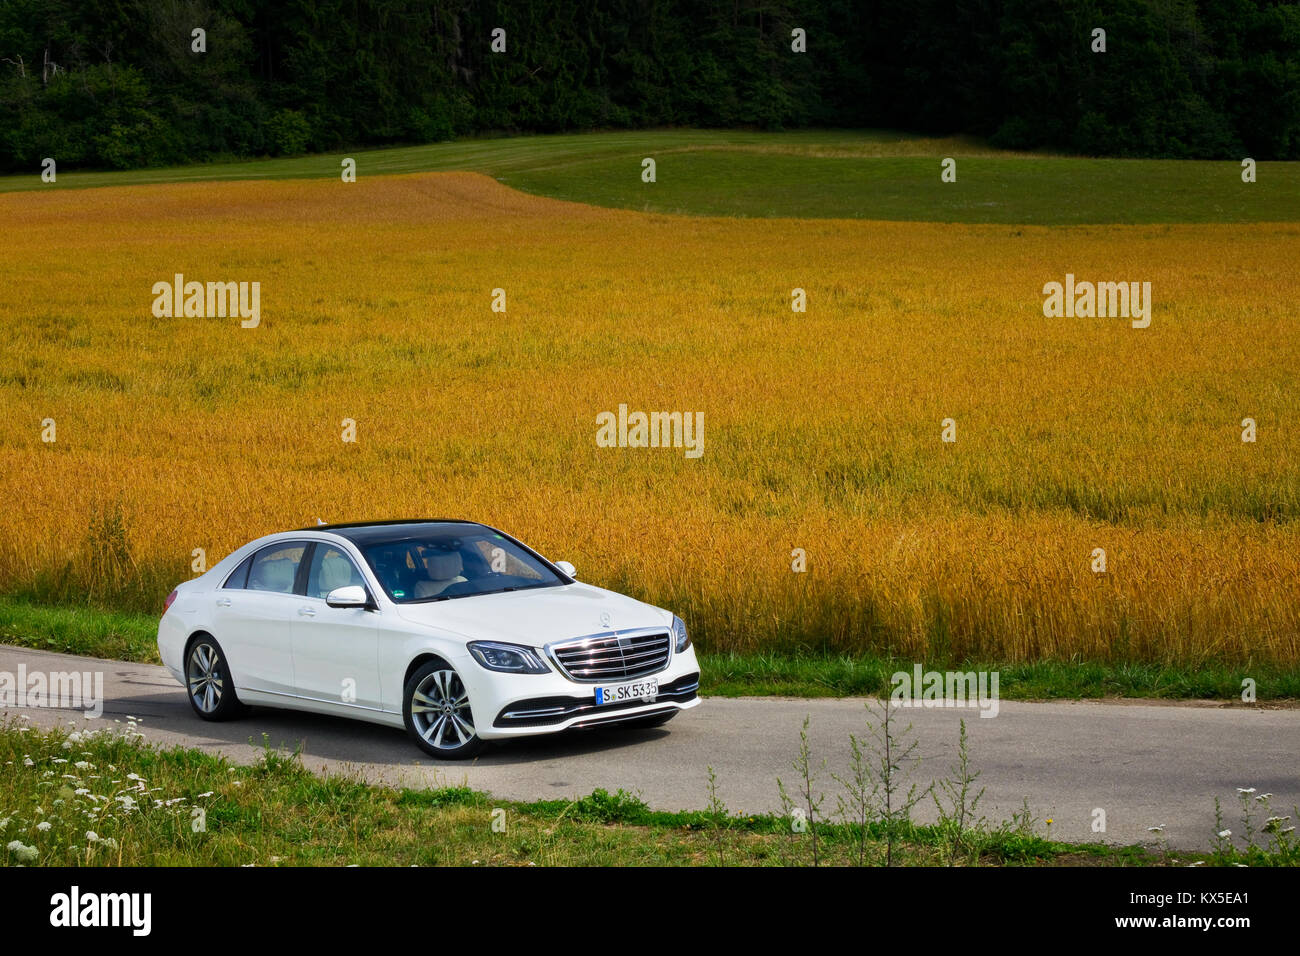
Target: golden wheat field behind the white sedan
822,430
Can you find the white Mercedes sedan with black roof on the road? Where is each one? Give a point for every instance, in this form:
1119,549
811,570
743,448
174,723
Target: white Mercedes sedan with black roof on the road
454,630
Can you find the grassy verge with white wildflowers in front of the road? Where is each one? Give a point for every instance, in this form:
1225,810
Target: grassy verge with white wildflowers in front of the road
107,799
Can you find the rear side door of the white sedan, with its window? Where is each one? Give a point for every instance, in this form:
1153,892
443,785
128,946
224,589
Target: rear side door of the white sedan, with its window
254,617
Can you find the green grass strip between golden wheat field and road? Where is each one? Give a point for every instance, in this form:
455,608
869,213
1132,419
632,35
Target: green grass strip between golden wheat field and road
129,637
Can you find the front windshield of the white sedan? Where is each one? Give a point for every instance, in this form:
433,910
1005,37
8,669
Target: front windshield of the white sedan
441,565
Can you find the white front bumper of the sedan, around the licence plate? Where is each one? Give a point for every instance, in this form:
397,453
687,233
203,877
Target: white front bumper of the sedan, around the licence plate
509,706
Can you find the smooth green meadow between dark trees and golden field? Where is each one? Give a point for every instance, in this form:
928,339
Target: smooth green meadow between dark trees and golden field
807,174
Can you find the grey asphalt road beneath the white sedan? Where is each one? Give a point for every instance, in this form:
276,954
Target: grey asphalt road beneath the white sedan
1145,764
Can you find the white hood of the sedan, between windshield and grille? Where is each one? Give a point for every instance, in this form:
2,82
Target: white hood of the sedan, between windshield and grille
538,617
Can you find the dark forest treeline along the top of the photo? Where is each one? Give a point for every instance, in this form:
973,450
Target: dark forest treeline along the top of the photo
116,83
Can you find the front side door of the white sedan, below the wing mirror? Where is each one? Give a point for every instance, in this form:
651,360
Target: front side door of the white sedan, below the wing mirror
336,650
